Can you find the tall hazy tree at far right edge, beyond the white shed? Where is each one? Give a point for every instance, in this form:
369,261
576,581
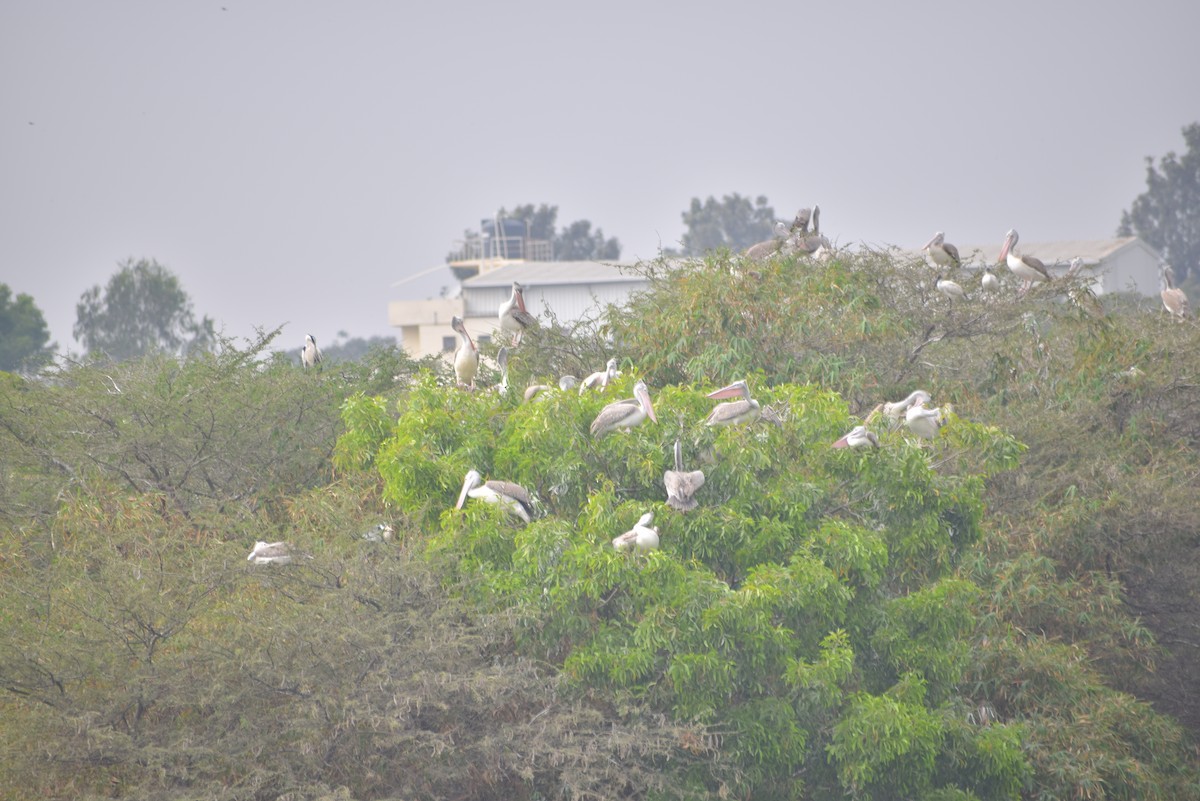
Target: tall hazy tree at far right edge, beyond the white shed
1167,215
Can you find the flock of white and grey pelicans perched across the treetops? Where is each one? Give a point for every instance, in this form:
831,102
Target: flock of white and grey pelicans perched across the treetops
802,237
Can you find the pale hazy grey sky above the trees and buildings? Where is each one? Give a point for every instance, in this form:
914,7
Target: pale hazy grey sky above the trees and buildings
292,160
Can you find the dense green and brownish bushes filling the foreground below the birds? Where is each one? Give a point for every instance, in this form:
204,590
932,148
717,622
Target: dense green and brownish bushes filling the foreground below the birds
1003,613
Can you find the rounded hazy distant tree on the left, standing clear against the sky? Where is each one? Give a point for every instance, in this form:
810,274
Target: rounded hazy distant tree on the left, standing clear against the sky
142,310
